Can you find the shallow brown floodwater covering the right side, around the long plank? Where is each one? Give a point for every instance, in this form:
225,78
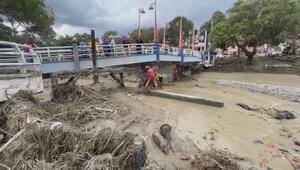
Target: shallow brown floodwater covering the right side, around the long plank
256,137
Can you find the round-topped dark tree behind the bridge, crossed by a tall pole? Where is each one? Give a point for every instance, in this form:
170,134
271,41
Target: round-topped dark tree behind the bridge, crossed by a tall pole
173,28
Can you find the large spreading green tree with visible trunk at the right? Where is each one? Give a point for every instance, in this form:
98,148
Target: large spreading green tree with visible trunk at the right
252,23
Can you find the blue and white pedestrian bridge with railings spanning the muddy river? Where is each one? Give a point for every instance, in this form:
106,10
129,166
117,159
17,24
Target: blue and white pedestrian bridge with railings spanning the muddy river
70,58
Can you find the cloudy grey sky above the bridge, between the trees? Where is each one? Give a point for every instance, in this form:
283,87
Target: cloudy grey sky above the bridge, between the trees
79,16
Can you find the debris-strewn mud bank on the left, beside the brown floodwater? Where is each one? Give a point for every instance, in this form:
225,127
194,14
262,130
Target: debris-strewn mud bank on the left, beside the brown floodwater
84,126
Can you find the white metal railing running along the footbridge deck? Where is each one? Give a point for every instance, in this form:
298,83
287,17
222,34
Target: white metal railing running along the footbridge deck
67,53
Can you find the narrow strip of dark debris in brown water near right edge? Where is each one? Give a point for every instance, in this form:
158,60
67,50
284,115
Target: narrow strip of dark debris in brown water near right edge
274,113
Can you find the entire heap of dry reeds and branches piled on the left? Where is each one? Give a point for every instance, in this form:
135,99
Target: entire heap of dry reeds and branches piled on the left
38,136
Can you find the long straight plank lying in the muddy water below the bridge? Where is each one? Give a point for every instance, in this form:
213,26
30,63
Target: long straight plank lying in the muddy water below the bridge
186,98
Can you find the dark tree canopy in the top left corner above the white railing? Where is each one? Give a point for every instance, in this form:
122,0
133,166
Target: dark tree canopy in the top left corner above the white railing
30,16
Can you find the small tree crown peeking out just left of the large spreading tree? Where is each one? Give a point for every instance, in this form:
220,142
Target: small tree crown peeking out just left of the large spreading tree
217,17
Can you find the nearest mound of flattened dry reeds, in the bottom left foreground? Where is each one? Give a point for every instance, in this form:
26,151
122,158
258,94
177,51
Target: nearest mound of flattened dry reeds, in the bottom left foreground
63,147
